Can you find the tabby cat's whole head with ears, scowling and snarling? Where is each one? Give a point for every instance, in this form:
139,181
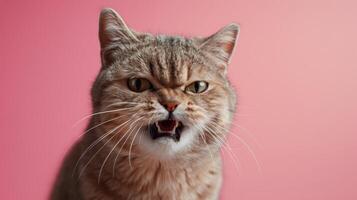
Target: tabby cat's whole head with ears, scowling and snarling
162,95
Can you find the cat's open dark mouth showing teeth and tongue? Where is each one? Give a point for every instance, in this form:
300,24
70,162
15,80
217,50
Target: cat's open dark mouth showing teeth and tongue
166,128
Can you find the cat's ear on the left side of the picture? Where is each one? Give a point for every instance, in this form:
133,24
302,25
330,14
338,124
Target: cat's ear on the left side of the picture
113,33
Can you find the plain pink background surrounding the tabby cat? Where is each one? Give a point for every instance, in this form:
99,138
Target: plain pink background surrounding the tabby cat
295,69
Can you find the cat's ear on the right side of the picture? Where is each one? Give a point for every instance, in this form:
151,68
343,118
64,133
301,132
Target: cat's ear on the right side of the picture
221,44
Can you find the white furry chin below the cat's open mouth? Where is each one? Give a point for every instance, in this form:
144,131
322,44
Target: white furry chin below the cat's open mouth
165,148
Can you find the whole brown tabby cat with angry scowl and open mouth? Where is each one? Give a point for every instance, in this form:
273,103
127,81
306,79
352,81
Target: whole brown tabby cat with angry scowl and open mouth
162,107
